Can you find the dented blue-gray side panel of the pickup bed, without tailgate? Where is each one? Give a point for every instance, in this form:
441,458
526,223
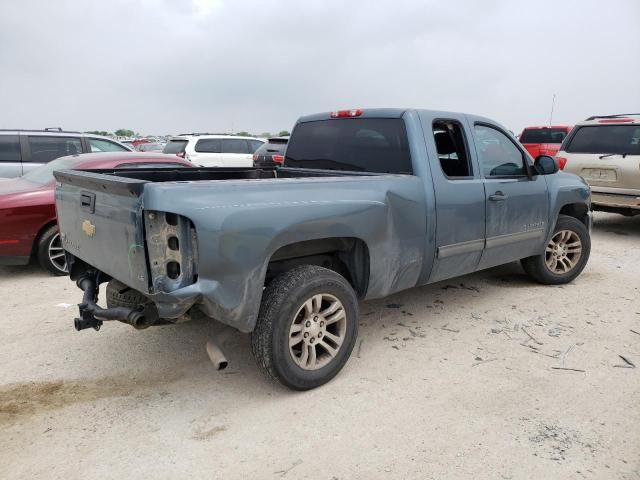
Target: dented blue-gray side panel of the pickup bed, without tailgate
239,230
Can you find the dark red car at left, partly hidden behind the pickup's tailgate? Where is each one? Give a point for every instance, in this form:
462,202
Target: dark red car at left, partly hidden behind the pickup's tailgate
27,207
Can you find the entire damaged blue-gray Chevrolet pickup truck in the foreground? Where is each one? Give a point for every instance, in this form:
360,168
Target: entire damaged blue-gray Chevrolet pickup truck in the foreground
368,203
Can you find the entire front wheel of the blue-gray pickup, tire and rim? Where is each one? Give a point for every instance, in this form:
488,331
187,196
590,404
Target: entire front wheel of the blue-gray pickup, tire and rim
565,255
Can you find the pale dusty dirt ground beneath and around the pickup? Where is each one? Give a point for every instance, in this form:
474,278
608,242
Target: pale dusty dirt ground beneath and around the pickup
458,380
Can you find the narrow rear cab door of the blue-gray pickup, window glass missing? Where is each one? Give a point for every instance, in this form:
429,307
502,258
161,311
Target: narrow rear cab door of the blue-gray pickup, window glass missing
459,194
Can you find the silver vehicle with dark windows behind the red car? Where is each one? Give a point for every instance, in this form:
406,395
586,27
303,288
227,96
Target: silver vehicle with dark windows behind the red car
24,150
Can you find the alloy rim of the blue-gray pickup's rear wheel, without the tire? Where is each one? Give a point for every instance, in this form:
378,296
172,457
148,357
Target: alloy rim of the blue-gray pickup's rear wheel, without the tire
317,331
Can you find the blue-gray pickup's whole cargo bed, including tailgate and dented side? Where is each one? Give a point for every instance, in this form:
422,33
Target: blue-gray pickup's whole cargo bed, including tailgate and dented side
205,236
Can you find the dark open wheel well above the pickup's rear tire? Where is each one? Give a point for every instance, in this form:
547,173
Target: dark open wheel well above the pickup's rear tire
344,255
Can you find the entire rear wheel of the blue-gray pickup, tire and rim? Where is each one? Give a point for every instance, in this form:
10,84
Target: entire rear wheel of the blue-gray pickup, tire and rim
307,327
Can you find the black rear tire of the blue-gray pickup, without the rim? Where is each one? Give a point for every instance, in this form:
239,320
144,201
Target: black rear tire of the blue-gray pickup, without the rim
282,299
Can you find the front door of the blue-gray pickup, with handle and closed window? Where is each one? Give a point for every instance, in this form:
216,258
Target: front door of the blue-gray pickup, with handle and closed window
517,203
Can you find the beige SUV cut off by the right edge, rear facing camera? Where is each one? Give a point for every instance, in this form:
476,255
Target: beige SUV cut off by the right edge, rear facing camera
605,151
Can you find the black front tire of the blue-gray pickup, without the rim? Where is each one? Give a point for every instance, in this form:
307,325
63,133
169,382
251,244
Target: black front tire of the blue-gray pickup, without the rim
536,267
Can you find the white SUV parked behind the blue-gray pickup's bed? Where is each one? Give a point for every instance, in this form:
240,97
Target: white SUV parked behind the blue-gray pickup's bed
214,150
